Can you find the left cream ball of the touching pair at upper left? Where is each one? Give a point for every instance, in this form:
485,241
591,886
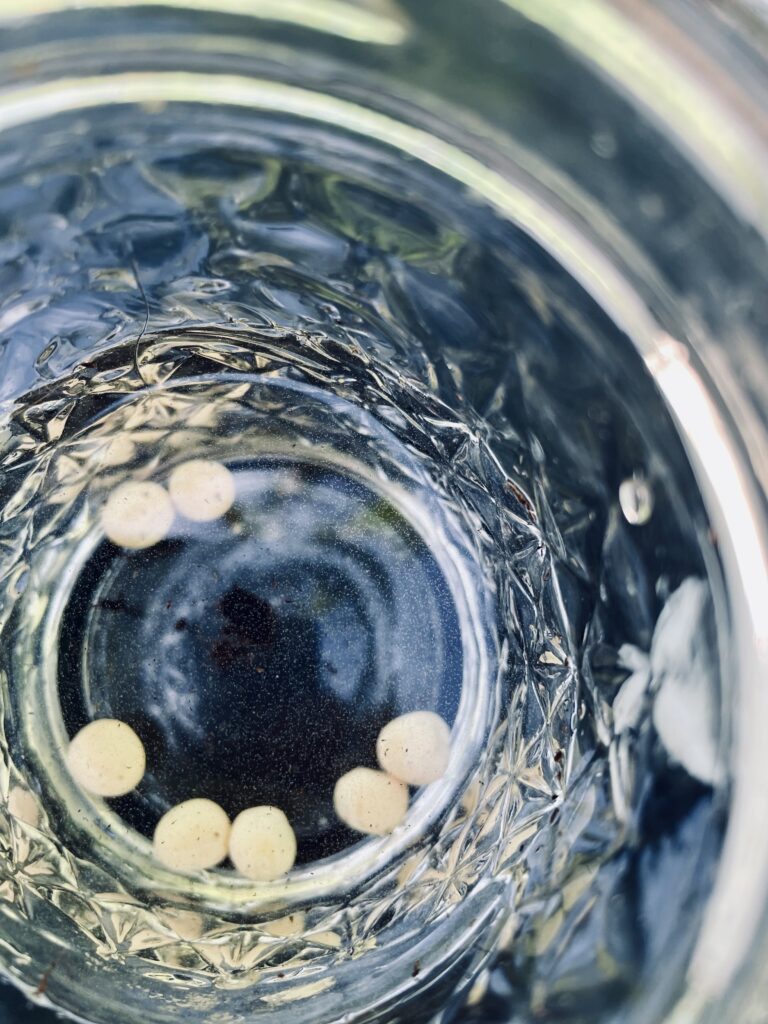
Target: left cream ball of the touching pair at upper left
138,515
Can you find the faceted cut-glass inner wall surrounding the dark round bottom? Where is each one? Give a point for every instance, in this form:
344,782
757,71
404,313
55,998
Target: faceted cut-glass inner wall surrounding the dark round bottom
179,276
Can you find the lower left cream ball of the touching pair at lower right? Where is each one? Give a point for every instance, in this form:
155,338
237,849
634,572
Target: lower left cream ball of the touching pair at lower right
370,801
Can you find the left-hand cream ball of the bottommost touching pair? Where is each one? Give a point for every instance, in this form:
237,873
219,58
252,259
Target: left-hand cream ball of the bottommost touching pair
193,836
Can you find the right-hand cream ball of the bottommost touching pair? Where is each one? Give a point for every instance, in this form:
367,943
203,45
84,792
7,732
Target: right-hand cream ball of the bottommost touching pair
263,844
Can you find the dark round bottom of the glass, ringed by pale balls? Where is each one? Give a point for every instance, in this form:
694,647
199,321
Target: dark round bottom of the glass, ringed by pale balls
260,657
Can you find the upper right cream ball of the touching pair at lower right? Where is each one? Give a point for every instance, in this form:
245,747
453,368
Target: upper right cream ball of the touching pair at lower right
415,748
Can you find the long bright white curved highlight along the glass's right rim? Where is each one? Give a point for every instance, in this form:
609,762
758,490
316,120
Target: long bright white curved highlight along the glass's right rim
733,500
